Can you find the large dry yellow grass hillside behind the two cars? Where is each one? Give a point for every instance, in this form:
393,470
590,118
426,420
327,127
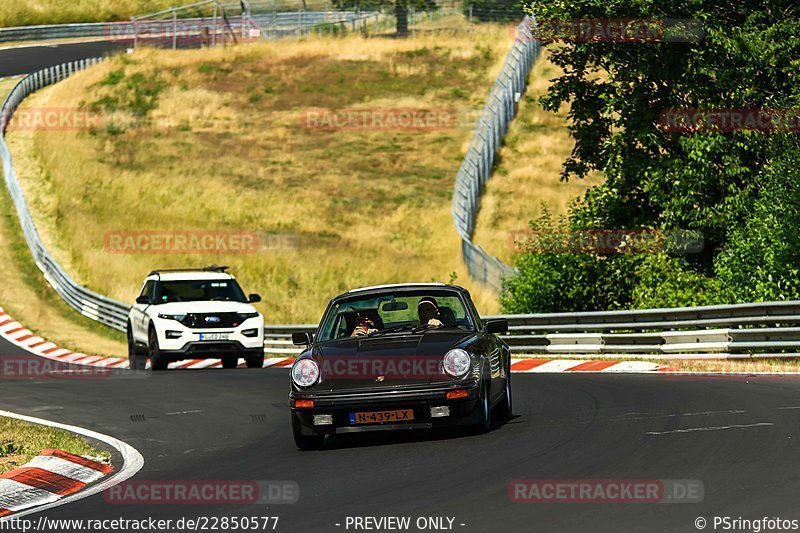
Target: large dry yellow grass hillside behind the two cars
216,140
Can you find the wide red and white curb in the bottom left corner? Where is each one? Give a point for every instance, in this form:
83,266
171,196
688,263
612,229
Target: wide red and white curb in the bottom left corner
47,478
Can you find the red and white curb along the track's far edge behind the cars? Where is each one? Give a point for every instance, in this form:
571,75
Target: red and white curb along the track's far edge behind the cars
18,335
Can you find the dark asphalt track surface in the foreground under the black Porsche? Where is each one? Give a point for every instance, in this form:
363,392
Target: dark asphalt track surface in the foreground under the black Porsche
739,436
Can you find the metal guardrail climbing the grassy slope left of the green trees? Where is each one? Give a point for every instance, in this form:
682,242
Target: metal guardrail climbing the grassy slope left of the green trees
476,170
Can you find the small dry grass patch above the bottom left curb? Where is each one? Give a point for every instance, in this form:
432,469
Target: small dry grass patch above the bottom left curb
22,441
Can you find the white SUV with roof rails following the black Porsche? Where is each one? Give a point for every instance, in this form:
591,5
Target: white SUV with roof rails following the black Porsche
194,314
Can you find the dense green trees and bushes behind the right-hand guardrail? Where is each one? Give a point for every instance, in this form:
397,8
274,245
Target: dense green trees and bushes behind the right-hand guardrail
737,188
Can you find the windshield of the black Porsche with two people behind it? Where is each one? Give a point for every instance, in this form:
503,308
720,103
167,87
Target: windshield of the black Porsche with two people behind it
375,315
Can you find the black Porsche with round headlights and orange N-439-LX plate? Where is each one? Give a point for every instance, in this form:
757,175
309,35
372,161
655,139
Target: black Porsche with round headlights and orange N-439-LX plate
397,357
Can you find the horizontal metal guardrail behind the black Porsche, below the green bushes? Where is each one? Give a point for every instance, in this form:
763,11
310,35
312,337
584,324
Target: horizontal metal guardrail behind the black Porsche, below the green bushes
769,329
